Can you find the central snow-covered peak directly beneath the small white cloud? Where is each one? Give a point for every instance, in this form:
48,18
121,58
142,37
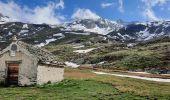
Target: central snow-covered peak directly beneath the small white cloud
98,26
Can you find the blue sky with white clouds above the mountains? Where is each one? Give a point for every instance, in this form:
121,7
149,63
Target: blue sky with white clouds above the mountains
60,11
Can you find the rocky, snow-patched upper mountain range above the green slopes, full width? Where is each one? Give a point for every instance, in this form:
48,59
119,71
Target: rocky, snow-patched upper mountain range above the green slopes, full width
83,30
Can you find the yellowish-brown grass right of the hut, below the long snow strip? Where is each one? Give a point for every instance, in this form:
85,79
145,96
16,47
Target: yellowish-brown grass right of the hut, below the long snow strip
135,87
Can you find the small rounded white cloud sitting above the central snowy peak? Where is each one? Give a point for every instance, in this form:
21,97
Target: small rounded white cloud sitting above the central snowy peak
84,14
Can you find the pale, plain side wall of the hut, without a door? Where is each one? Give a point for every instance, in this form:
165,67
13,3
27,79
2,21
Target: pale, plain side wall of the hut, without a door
49,74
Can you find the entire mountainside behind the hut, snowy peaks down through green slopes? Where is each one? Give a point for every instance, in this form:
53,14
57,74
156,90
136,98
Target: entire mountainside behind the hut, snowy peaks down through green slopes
102,43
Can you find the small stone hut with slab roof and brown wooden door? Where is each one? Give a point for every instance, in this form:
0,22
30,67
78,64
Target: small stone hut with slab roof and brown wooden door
23,64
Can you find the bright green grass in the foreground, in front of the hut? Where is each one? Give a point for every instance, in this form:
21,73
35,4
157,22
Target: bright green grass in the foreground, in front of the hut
68,90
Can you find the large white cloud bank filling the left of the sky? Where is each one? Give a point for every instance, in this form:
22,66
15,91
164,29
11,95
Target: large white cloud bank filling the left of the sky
38,15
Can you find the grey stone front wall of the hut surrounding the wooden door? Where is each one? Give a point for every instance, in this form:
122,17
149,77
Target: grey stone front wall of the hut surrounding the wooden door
27,68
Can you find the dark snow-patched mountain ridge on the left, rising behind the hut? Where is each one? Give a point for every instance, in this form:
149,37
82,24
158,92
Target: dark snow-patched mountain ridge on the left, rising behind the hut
41,34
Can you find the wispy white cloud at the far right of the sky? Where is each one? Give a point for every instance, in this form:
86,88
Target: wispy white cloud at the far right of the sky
148,8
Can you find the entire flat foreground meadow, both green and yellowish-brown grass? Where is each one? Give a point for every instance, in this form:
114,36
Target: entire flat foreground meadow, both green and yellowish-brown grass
85,85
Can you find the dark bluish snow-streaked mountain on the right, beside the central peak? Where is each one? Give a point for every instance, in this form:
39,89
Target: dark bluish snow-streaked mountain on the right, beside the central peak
142,31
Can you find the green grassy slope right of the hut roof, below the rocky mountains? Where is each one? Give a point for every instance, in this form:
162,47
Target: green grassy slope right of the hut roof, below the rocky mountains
115,55
